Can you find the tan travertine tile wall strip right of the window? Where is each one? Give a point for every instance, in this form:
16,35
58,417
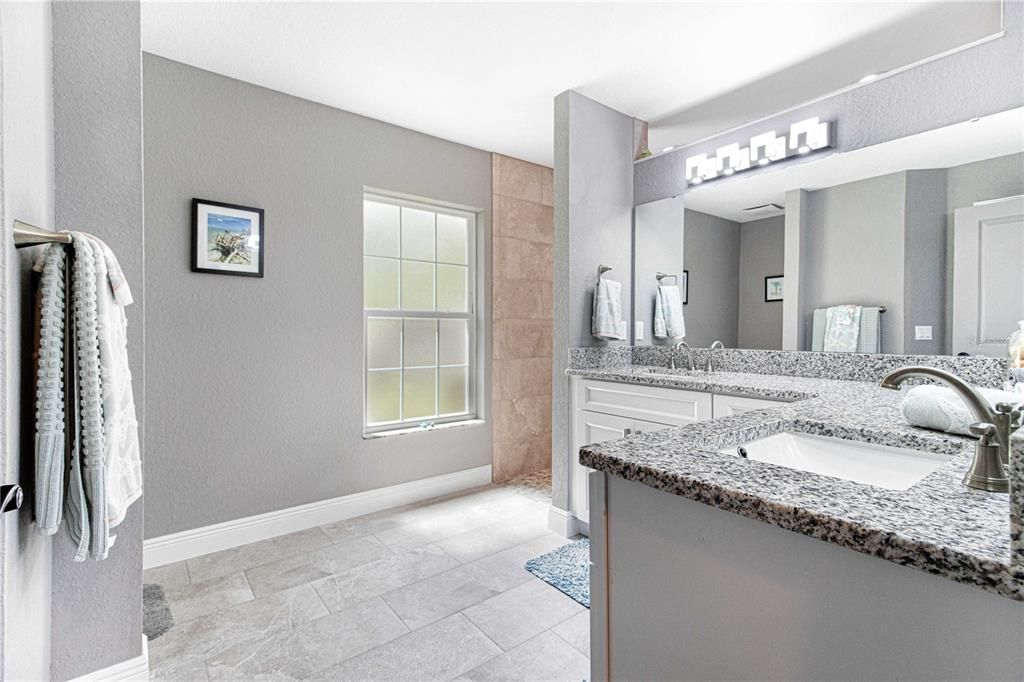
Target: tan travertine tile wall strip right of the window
522,270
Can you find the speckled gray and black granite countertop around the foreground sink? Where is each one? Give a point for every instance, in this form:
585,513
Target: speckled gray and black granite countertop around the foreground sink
938,526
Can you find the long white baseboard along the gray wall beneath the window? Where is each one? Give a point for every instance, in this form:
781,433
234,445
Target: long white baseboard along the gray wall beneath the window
189,544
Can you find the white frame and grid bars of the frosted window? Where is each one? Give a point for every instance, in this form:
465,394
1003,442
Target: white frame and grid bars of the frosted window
402,316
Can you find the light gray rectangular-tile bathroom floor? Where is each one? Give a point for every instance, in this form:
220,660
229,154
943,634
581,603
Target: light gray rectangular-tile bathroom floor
432,591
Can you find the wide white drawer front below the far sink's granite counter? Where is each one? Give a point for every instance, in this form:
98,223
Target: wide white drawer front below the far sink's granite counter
652,404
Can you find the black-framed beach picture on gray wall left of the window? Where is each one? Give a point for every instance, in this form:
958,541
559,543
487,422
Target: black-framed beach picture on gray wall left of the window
228,239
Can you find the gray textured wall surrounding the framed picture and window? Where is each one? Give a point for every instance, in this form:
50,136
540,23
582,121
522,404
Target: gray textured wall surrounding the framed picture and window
292,392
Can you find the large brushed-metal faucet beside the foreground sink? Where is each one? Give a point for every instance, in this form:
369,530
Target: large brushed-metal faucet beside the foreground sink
992,458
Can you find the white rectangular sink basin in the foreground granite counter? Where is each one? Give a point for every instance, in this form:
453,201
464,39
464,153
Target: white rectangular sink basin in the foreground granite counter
893,468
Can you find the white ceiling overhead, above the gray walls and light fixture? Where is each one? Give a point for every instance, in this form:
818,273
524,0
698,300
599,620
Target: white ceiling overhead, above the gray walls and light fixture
486,74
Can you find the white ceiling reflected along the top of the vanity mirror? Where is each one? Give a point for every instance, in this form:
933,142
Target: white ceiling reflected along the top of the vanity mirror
988,138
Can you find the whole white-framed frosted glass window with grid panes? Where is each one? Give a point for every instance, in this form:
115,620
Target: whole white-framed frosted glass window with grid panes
419,314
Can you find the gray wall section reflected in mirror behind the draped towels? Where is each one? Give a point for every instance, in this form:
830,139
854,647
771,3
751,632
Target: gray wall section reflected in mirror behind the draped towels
855,246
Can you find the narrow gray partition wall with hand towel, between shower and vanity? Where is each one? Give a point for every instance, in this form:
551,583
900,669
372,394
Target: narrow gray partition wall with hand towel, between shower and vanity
593,226
